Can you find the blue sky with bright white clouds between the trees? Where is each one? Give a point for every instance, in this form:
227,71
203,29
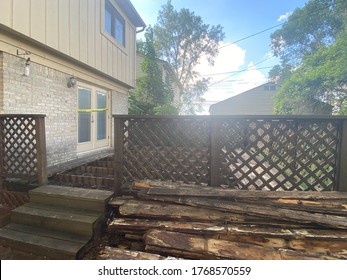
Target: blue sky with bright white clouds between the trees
239,18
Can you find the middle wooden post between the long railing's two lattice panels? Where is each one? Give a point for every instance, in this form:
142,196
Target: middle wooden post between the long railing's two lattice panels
215,160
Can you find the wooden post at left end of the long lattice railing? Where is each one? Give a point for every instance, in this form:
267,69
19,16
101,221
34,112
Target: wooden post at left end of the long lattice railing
118,156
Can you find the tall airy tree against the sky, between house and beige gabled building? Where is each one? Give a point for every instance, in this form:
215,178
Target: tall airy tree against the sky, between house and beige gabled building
182,39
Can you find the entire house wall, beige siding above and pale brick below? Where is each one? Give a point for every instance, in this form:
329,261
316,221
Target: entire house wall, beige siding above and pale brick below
62,38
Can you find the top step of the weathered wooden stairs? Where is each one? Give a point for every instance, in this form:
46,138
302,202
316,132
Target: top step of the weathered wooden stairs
83,199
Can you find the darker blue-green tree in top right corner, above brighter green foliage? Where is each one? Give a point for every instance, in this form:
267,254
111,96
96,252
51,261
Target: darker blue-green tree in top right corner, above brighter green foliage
307,29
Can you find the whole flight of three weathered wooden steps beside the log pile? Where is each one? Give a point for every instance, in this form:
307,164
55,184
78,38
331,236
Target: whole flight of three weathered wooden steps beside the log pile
58,222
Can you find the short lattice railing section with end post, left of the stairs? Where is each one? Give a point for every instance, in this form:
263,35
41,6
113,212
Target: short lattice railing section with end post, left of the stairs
23,148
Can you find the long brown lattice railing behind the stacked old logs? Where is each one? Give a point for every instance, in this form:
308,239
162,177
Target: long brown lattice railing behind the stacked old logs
243,152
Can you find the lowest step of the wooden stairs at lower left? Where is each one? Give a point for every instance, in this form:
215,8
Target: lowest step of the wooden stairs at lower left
42,242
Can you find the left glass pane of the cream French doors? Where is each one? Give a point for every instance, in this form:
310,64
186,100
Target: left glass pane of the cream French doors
84,118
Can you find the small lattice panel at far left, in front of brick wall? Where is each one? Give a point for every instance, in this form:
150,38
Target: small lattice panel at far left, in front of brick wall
19,148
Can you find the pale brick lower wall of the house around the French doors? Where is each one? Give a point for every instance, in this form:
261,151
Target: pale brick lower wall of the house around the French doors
45,91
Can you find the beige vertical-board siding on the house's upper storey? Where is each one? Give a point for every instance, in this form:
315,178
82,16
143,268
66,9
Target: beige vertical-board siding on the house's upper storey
76,29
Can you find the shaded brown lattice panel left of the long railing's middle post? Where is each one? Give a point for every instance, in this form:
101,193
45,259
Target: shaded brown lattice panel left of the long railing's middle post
166,149
